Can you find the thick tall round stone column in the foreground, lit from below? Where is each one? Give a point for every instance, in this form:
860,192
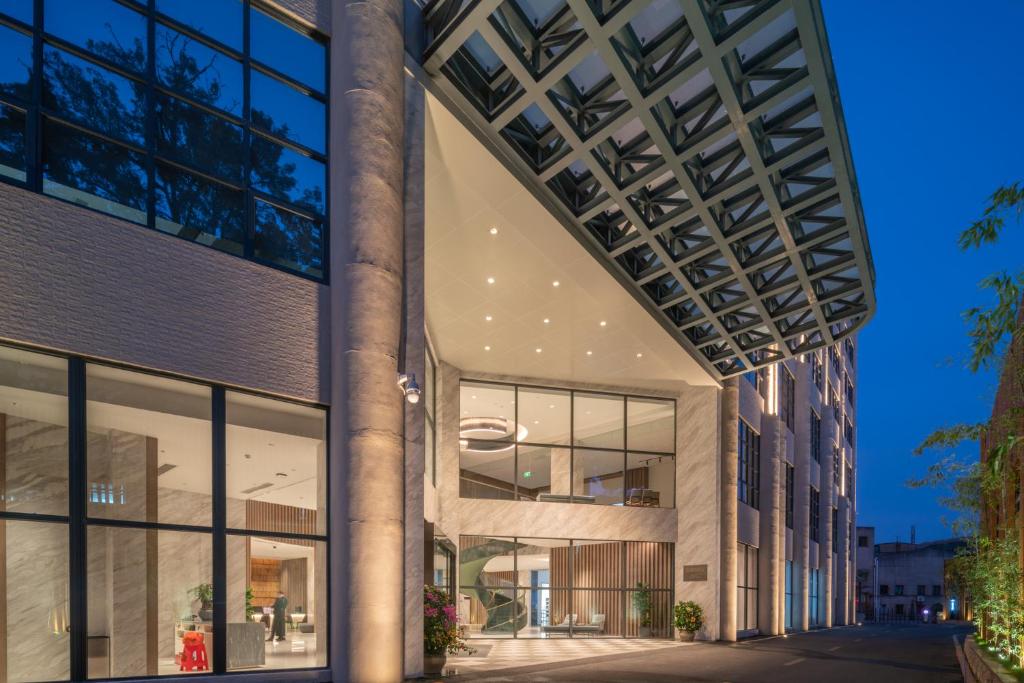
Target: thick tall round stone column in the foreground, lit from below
367,270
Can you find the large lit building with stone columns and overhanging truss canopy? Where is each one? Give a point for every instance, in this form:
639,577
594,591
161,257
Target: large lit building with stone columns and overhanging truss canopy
307,305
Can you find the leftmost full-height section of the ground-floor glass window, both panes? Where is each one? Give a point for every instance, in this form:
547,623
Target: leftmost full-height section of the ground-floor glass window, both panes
34,582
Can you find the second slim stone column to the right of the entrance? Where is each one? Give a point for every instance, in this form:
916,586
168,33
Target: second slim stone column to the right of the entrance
772,459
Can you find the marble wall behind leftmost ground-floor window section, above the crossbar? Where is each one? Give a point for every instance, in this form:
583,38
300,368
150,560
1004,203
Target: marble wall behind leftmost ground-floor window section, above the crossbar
35,475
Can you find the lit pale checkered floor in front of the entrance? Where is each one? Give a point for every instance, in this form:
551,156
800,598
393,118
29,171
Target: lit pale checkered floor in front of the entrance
505,654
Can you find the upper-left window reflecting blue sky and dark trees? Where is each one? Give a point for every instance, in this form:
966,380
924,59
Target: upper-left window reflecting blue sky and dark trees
177,120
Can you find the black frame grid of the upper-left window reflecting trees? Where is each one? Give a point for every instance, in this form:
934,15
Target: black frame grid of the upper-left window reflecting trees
37,115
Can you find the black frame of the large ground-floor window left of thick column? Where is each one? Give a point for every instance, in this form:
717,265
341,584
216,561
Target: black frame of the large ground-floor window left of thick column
79,522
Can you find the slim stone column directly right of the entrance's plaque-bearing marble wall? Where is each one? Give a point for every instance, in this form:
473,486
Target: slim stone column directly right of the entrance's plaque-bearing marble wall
731,455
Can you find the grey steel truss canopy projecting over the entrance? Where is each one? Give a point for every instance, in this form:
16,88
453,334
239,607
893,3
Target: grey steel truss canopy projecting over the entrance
696,147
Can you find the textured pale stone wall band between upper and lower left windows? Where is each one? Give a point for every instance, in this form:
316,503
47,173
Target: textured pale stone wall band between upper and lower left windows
78,281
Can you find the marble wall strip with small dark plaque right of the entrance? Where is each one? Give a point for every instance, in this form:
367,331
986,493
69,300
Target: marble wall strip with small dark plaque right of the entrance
698,501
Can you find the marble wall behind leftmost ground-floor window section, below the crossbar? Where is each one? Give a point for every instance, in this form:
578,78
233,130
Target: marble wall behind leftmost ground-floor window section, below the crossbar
36,560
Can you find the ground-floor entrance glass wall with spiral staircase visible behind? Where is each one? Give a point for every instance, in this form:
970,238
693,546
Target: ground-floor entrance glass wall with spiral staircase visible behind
558,588
